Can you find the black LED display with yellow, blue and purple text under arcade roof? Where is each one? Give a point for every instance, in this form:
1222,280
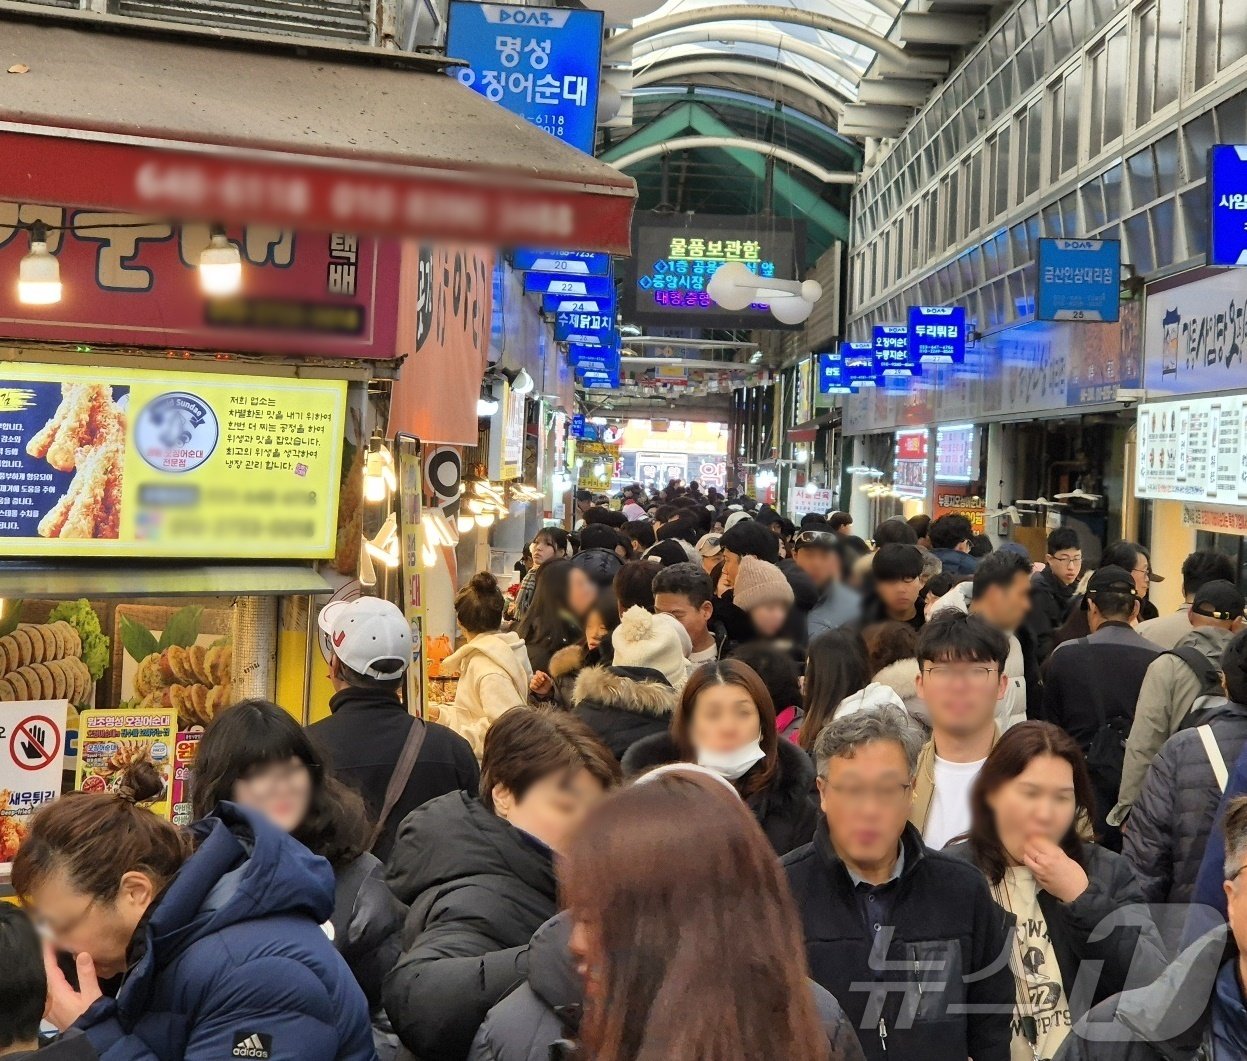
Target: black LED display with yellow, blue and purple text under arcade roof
675,257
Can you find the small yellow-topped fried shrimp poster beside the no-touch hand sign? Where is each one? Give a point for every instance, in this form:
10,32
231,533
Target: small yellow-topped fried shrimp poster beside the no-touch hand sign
112,742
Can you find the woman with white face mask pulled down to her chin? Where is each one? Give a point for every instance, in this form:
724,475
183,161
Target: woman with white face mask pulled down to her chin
726,721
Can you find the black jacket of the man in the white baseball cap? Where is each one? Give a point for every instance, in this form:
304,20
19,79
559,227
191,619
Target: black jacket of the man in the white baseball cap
365,736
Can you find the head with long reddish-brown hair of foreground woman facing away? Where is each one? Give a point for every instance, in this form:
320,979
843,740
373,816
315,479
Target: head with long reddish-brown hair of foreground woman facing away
685,933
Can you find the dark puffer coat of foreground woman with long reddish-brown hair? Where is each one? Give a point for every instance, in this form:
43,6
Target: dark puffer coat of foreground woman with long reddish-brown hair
548,1008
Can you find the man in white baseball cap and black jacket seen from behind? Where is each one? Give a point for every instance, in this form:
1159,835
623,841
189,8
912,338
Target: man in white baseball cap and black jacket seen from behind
370,644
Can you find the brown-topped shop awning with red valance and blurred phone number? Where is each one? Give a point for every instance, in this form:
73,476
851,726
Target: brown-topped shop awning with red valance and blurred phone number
120,114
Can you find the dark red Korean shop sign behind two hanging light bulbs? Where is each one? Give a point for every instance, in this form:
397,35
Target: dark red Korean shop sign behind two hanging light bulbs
135,280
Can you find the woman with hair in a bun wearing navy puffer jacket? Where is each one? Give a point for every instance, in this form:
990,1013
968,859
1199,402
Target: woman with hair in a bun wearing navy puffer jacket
216,933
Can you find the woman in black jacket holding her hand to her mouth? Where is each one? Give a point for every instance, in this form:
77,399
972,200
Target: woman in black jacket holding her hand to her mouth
1027,807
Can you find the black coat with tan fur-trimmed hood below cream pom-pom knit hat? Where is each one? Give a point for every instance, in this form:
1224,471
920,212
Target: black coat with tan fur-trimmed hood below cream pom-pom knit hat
624,705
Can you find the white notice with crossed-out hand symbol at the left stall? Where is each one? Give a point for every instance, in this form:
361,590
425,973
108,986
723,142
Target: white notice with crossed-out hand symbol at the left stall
32,762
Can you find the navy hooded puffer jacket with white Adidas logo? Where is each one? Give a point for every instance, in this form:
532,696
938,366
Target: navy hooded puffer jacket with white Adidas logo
233,962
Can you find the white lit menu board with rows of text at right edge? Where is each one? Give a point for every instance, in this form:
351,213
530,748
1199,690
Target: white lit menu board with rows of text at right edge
1194,451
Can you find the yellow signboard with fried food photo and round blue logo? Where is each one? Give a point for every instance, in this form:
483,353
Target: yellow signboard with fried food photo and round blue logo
104,462
